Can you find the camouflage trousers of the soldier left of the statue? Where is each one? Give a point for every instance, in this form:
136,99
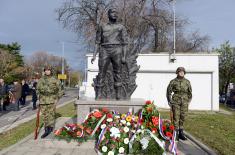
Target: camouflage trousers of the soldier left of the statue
48,114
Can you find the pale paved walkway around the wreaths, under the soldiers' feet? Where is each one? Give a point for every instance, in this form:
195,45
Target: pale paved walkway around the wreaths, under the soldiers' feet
53,146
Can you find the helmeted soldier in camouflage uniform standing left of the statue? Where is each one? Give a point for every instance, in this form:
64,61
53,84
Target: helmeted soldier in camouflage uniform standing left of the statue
48,89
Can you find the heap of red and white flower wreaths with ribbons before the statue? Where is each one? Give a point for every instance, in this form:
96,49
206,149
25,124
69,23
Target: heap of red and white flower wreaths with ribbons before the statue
115,133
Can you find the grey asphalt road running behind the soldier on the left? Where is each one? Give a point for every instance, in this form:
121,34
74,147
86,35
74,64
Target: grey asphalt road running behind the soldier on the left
11,116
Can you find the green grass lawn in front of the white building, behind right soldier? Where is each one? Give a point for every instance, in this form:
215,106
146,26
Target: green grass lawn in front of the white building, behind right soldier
217,130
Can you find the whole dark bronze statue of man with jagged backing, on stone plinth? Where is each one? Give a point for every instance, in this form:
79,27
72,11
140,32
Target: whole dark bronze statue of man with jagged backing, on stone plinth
117,68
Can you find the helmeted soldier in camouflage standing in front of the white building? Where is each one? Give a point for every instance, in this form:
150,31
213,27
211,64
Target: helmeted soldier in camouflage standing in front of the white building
179,101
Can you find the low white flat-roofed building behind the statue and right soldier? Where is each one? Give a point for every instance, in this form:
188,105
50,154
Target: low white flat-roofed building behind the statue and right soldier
156,71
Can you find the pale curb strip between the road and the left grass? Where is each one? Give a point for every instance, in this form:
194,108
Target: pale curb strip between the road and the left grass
11,126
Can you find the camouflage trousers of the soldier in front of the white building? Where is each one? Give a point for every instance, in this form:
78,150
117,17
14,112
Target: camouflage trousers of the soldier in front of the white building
179,113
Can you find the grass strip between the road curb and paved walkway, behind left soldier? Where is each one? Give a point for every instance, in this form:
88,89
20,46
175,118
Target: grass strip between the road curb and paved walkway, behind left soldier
16,134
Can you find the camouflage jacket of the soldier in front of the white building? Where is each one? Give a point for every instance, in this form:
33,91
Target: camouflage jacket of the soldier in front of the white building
181,89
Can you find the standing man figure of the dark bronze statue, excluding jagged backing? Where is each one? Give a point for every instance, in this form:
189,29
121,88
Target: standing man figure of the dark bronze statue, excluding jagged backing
111,42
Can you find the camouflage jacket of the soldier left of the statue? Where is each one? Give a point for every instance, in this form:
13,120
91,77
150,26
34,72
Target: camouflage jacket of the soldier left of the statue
49,90
